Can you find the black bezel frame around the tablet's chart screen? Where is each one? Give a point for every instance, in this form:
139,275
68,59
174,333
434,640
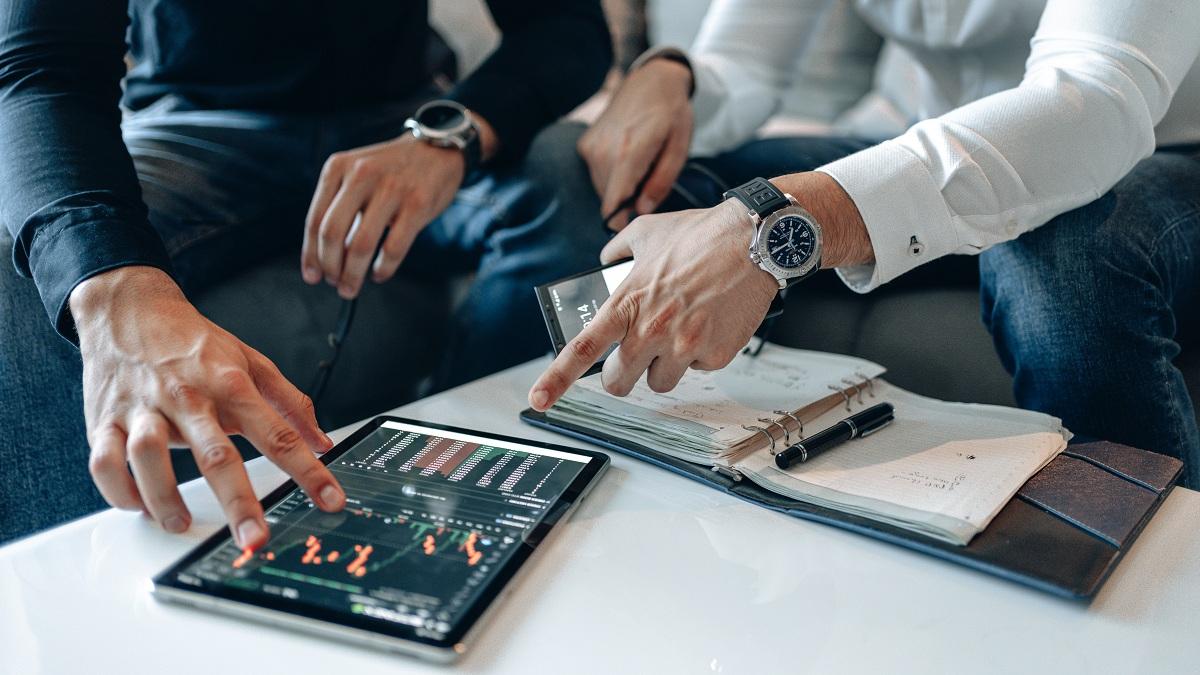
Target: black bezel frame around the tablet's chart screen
337,620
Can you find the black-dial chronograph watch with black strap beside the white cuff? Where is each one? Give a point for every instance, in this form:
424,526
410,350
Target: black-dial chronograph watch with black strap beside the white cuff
787,240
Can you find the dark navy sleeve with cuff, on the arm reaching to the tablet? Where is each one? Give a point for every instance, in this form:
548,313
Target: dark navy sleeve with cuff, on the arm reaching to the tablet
69,193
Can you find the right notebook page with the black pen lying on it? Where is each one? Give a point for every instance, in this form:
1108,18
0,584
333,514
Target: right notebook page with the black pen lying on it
950,467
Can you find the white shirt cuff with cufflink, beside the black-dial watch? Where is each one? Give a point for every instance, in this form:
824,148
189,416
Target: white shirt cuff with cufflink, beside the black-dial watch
903,207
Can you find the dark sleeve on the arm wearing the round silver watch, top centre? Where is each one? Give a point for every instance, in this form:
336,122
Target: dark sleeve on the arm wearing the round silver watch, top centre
553,56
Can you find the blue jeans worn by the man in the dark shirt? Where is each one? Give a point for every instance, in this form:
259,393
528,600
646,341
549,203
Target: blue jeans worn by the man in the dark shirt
227,190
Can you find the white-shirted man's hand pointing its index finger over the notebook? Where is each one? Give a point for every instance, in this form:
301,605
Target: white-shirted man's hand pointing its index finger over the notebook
691,302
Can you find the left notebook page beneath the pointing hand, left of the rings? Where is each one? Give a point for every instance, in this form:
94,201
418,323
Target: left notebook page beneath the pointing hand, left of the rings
742,393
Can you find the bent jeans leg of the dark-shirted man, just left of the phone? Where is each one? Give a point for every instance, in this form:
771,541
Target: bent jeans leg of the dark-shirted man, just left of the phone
517,229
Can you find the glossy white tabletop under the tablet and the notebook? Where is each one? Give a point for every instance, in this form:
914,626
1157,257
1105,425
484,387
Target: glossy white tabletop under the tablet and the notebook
653,575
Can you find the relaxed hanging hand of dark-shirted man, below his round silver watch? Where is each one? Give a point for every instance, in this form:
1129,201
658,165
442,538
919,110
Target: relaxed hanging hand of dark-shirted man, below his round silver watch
398,187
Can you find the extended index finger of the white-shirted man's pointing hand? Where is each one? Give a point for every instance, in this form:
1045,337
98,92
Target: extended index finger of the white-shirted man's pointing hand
610,326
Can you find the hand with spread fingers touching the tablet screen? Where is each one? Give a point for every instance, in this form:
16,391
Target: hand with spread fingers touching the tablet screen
157,373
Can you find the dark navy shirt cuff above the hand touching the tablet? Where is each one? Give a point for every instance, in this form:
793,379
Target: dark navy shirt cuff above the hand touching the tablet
73,250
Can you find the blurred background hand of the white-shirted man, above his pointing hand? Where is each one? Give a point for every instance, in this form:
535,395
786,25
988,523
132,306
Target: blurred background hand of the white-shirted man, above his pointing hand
644,134
